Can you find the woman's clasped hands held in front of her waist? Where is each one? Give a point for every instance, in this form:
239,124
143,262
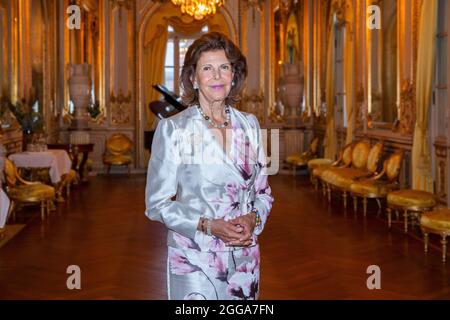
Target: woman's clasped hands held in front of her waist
235,232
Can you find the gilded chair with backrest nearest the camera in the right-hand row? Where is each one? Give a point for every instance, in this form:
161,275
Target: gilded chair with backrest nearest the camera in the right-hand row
378,186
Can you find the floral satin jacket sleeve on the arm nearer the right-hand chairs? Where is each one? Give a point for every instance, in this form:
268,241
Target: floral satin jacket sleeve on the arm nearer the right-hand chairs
263,193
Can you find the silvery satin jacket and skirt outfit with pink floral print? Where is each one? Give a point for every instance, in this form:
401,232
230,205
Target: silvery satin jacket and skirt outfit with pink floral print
208,182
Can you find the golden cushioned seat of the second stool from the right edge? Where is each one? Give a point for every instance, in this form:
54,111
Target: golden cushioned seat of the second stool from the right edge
411,198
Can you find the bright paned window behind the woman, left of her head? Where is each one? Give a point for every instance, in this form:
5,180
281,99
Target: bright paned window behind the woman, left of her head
176,49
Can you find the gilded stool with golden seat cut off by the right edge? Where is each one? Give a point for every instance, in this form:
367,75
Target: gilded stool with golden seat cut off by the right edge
437,222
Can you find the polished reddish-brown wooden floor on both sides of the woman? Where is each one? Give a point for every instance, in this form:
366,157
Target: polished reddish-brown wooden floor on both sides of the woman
310,250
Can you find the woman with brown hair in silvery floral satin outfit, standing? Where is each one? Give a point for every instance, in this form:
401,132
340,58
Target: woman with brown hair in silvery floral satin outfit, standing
211,157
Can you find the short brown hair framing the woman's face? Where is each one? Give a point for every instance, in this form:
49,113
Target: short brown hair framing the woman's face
213,41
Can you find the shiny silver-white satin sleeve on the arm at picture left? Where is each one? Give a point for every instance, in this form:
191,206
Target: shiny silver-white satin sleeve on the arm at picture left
162,183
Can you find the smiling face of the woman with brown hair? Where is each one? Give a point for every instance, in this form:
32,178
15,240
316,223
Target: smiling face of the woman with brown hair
213,76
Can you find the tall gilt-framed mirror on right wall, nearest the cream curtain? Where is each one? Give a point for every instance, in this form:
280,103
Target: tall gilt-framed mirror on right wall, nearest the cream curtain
383,66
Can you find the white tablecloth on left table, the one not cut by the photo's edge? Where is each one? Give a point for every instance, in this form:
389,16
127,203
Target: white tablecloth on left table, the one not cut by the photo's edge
57,160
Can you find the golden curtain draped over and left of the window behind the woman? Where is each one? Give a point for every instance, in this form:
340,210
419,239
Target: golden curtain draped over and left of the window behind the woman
152,42
